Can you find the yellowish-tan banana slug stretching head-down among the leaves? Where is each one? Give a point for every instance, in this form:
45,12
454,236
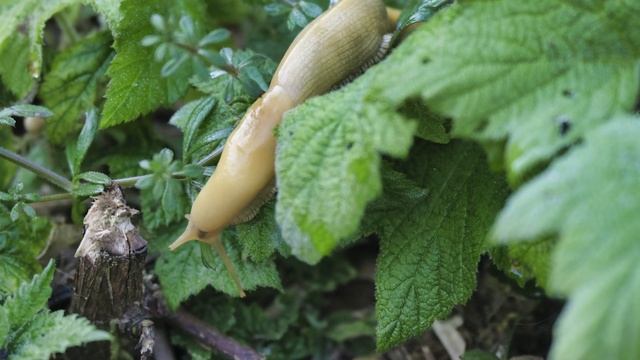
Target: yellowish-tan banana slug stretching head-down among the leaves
328,50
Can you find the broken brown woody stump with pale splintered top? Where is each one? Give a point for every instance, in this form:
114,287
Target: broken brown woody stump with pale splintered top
109,276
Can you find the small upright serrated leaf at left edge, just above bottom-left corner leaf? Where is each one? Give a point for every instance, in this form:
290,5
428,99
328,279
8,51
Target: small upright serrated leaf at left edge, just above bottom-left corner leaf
30,298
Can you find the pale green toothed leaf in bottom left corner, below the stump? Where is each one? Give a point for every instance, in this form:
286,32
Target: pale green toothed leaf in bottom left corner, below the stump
50,333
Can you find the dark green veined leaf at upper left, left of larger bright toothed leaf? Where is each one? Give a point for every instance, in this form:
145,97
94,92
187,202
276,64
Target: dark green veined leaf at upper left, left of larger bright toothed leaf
71,87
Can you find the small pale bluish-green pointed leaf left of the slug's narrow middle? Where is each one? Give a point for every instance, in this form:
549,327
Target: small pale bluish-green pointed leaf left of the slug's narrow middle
189,118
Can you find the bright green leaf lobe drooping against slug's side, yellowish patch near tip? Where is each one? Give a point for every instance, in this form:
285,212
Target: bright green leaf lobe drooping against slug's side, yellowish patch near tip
328,165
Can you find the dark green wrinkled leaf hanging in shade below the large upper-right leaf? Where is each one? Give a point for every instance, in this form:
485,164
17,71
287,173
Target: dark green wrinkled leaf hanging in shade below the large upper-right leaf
430,244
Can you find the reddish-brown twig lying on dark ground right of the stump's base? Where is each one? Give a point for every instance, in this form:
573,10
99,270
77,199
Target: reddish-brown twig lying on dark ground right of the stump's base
211,337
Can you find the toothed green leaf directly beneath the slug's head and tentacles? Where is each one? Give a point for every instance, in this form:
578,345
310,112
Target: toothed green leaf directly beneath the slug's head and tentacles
183,273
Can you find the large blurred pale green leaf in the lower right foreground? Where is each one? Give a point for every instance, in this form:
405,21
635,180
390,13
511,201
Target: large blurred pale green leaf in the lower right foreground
589,199
